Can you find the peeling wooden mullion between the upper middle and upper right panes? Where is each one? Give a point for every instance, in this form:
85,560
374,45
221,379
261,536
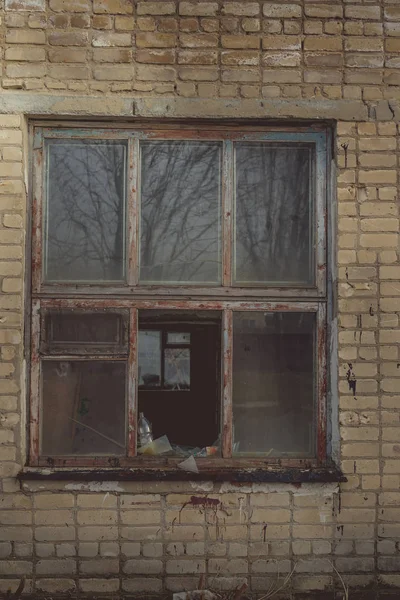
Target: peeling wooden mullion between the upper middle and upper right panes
227,208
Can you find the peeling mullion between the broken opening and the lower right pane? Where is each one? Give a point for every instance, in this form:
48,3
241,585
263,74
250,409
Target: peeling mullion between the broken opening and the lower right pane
227,375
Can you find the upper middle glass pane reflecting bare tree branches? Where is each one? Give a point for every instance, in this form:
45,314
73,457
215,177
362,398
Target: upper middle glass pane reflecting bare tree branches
180,212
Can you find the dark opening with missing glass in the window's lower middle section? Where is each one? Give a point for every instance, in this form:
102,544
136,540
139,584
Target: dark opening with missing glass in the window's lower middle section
180,396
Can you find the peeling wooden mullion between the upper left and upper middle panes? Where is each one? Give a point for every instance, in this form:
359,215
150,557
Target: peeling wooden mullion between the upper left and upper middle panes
132,208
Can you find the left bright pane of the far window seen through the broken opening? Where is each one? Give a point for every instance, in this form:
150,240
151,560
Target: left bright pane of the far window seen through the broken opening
149,358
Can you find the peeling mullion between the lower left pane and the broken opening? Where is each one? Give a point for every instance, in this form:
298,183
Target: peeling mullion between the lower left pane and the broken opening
132,383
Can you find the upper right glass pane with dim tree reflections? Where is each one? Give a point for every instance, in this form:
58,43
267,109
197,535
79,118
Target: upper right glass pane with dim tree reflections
274,235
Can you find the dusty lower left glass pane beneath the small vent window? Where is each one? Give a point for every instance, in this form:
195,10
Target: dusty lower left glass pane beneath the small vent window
83,408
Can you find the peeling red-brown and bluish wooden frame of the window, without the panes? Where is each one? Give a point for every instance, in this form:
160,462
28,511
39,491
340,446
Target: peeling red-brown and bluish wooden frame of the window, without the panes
130,297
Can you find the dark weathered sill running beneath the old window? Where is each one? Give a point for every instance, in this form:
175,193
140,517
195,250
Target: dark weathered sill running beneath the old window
271,474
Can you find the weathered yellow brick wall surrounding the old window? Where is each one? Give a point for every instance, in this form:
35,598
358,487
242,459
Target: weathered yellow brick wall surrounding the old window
304,59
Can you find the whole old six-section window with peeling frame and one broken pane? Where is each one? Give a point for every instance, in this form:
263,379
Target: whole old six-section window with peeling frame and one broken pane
179,295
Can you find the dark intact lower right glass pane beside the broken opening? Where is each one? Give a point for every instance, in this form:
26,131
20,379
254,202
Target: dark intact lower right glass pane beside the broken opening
274,383
